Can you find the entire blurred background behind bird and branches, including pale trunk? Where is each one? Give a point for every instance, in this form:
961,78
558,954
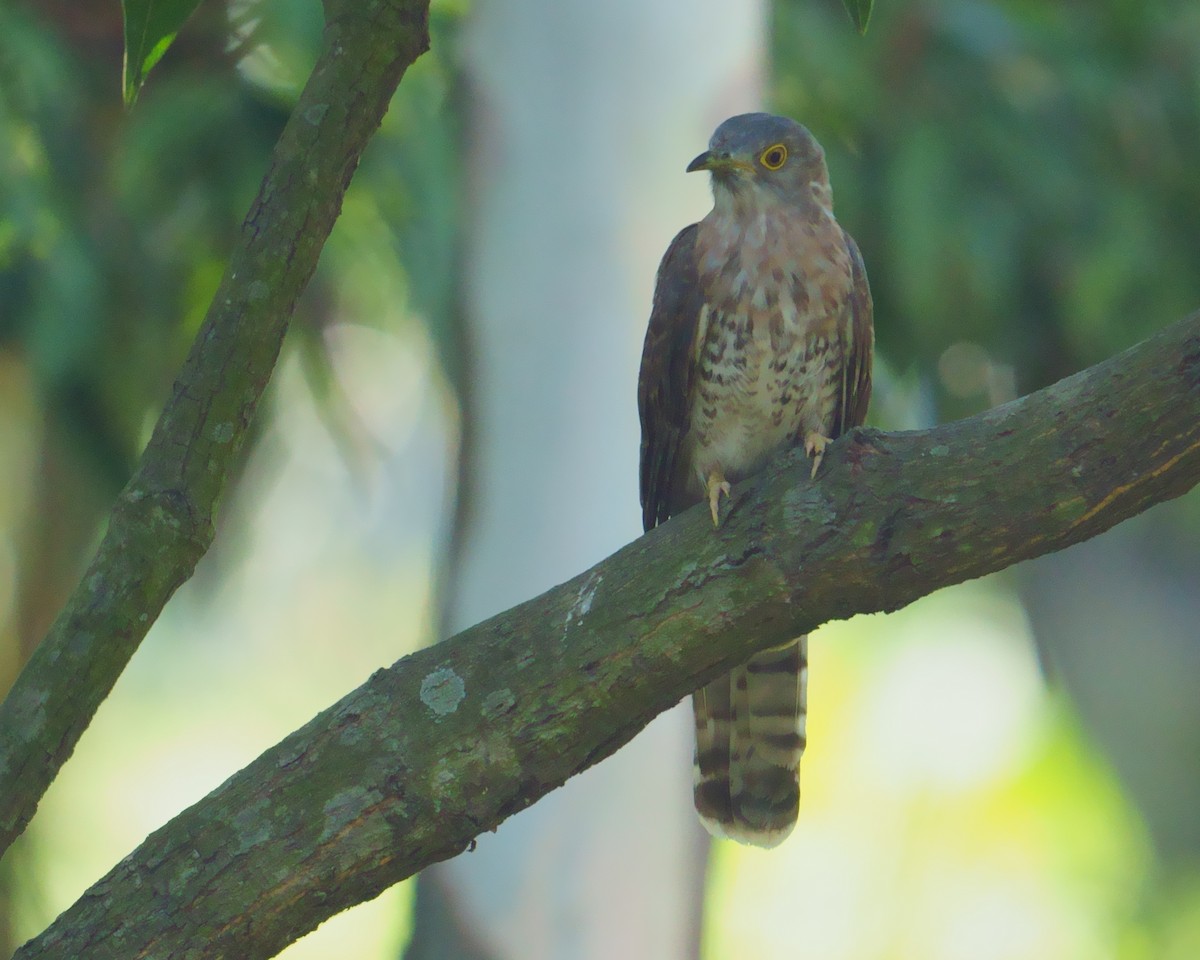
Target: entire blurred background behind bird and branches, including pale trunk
1005,770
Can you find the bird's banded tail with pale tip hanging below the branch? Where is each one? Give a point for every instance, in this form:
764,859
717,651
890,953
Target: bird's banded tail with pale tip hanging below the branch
749,741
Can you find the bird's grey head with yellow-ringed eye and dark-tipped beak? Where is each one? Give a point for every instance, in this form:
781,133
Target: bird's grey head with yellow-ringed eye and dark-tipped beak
759,154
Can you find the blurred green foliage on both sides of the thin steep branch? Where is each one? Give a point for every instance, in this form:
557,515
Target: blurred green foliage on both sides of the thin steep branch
116,226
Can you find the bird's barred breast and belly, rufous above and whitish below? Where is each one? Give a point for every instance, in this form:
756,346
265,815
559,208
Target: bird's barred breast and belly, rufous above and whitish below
770,356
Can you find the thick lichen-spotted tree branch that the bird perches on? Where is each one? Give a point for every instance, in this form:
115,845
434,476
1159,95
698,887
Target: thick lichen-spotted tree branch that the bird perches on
449,742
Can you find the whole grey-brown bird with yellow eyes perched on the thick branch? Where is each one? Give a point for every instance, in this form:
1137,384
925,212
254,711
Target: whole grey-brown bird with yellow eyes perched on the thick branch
760,340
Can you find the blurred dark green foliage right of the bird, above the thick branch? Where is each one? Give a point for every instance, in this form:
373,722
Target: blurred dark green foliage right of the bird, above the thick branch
1018,175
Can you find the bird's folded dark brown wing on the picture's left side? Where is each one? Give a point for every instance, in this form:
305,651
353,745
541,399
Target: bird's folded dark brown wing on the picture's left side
665,382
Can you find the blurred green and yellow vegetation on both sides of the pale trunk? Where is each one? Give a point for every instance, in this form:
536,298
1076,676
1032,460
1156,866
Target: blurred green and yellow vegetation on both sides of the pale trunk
1022,179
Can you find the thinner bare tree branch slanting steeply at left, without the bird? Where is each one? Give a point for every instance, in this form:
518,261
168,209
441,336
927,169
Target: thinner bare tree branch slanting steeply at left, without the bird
164,520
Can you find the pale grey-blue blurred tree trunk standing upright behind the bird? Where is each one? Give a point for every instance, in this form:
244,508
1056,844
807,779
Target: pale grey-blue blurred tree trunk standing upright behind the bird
580,187
